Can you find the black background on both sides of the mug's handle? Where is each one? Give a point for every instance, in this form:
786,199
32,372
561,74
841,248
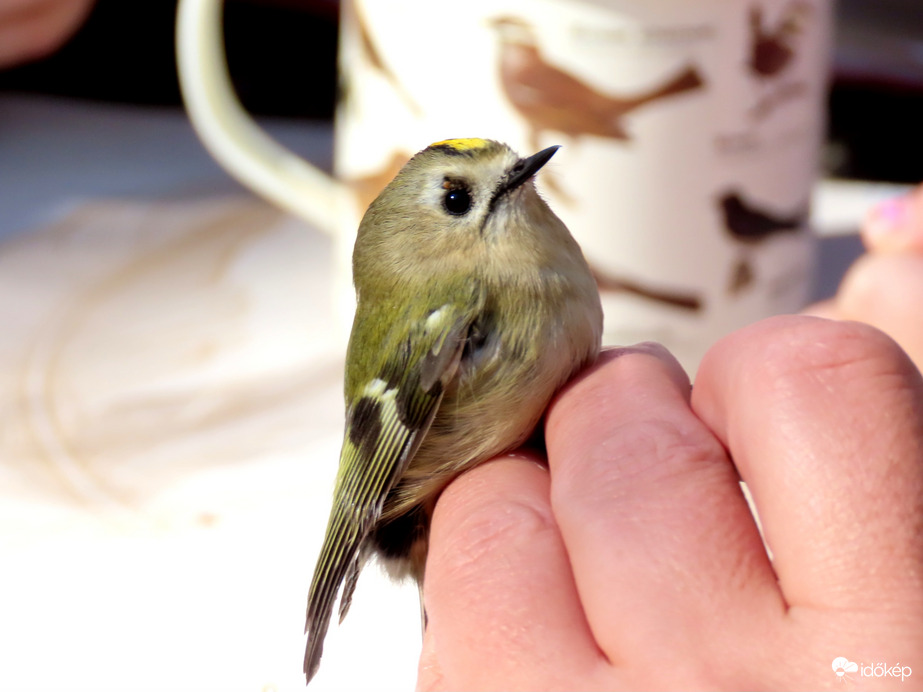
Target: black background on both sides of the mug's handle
124,53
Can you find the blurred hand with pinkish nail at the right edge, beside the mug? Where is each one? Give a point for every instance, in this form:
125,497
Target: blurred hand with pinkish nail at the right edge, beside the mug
884,287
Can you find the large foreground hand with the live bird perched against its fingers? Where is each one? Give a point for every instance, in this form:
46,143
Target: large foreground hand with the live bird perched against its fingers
635,562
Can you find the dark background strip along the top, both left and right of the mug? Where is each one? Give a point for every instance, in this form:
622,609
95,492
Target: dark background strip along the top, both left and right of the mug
876,102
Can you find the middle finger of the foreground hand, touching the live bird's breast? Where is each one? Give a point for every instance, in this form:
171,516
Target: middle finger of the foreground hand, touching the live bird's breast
661,540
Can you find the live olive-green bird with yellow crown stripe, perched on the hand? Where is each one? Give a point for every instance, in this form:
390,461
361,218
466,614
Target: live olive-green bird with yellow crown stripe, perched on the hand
474,306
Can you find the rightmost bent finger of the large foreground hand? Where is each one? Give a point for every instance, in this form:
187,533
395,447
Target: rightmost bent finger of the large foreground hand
823,419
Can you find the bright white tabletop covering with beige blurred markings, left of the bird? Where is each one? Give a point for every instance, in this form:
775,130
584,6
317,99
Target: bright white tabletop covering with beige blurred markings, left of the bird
170,390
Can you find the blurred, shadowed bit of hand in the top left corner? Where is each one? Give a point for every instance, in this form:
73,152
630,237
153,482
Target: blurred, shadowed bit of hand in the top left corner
32,29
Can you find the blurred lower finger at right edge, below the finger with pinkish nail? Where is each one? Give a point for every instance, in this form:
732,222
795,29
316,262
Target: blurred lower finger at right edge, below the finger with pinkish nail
886,291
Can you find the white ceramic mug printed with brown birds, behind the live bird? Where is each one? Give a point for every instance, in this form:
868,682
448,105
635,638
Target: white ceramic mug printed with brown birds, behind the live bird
691,135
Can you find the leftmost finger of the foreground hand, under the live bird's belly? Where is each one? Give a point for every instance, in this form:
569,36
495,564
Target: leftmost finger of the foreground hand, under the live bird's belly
499,594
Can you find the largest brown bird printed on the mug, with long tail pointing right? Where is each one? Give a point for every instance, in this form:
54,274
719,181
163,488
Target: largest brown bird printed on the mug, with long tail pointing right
549,98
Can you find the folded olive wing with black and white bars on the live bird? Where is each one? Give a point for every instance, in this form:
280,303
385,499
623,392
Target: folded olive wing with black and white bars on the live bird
385,422
